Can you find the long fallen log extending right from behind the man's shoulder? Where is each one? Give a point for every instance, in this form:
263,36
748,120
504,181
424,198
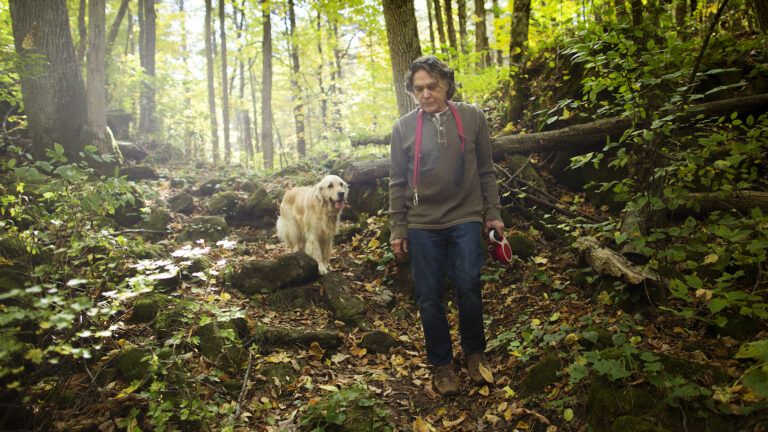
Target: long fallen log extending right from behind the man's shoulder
594,135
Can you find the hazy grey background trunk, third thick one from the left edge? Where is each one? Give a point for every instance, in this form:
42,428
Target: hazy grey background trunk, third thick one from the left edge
147,40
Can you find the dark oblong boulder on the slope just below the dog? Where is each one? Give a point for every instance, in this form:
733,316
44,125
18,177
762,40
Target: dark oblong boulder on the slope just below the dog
266,276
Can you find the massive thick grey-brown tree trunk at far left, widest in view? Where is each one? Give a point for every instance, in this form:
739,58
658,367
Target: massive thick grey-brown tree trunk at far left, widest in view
54,99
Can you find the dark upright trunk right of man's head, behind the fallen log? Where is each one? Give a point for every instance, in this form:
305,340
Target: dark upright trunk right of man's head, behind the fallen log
521,14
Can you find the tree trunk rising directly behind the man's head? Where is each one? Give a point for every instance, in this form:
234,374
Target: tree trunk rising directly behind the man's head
404,47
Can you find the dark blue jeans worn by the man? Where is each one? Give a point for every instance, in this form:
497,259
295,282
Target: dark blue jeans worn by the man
456,252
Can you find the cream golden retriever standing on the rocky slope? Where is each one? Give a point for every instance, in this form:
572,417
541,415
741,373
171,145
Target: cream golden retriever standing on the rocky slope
308,218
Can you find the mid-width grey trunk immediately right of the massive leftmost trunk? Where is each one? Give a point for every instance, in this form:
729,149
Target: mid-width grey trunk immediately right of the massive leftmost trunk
95,89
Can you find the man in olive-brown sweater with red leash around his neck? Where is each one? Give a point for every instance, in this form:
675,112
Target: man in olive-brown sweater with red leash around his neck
436,205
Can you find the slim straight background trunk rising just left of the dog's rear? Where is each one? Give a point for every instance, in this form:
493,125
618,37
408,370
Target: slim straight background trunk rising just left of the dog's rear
266,88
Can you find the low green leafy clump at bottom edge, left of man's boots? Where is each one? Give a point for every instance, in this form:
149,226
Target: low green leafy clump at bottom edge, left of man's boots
351,406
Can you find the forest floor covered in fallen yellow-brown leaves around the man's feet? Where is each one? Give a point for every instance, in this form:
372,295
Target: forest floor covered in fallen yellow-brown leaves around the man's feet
537,309
